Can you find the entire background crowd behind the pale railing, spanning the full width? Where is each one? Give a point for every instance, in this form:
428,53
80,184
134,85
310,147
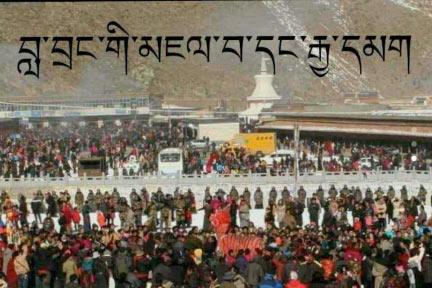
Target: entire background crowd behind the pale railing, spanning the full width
54,151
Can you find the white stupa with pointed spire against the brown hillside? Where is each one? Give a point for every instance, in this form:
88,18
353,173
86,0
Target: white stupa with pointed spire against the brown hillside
263,96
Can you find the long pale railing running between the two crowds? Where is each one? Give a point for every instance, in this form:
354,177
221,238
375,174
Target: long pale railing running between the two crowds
416,176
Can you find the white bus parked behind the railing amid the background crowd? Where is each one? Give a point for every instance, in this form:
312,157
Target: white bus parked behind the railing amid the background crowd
170,161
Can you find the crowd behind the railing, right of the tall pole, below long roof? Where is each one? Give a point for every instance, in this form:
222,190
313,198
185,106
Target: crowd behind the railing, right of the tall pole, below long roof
335,156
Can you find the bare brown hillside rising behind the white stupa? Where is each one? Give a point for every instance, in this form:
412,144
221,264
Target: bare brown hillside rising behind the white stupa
198,83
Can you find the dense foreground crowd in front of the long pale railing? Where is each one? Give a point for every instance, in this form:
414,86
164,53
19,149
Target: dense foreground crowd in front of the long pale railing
387,244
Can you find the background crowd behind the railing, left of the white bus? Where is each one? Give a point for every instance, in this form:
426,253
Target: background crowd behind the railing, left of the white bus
54,151
